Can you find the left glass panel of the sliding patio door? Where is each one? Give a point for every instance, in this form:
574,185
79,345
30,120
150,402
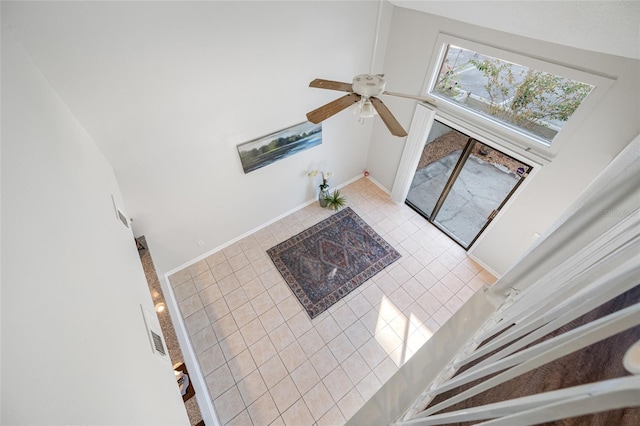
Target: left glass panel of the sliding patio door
439,157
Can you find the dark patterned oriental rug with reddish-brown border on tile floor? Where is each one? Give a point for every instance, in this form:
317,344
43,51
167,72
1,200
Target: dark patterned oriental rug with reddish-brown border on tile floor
327,261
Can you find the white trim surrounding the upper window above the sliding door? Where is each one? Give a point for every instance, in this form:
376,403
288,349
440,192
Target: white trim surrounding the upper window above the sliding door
513,138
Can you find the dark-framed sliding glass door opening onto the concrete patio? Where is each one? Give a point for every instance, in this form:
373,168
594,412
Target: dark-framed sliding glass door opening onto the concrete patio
460,183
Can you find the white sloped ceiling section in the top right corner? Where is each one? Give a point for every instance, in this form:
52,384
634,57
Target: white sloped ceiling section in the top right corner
601,26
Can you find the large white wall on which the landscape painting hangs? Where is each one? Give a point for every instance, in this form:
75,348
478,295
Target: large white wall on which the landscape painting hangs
169,89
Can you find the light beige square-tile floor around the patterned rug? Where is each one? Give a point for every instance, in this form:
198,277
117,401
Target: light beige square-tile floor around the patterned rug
267,363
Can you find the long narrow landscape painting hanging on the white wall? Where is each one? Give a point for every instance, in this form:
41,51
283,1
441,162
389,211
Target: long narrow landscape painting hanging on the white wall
278,145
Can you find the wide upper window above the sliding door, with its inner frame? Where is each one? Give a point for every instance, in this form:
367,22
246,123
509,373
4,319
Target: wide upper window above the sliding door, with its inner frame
518,95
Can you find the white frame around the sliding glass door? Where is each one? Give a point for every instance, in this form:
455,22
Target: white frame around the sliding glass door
423,119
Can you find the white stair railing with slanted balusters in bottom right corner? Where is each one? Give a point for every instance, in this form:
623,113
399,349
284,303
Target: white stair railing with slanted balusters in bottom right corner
600,272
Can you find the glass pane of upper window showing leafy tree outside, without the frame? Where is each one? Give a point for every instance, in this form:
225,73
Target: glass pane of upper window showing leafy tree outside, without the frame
534,101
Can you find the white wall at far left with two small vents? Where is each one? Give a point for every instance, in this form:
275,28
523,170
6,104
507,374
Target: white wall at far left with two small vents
74,346
